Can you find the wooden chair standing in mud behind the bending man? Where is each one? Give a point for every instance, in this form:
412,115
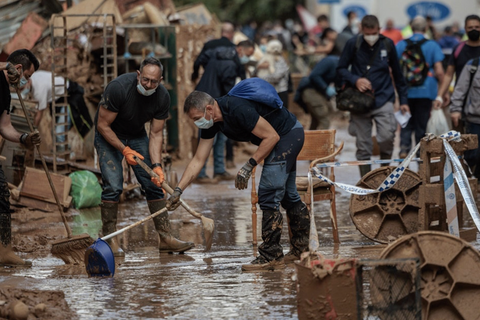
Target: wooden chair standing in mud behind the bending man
319,147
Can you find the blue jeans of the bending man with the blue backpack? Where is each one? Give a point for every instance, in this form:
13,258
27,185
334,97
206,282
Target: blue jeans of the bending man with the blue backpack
277,183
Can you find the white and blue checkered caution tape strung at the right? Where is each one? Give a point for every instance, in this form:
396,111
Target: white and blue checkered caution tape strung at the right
458,174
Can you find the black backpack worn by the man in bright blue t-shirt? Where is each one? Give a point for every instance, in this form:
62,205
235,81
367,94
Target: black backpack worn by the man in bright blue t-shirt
412,62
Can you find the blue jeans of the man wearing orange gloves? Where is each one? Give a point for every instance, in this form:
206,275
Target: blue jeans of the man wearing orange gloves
110,160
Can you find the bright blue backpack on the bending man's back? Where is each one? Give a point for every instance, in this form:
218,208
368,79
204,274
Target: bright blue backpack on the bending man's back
258,90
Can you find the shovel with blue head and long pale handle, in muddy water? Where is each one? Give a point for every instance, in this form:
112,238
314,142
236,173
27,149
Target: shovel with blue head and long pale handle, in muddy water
99,259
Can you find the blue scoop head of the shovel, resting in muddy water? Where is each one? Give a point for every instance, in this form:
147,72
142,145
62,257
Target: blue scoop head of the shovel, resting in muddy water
99,260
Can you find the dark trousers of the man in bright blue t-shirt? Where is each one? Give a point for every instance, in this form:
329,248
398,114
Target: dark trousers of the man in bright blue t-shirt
420,111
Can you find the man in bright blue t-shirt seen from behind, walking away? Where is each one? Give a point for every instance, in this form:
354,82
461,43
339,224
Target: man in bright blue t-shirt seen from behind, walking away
421,97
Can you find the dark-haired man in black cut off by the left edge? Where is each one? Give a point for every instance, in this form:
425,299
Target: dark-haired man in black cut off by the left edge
20,66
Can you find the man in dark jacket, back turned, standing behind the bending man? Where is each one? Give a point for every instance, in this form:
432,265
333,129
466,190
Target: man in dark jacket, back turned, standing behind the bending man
220,60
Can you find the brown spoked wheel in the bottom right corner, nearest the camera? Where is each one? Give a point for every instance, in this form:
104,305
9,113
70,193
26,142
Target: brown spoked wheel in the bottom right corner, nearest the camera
449,271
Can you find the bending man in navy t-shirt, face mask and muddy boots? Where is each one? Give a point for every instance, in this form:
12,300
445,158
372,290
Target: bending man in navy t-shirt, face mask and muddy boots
279,137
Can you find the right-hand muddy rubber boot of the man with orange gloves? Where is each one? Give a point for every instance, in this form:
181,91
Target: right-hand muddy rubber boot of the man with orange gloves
168,243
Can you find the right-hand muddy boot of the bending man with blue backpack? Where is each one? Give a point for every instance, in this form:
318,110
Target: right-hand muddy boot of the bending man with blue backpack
299,220
